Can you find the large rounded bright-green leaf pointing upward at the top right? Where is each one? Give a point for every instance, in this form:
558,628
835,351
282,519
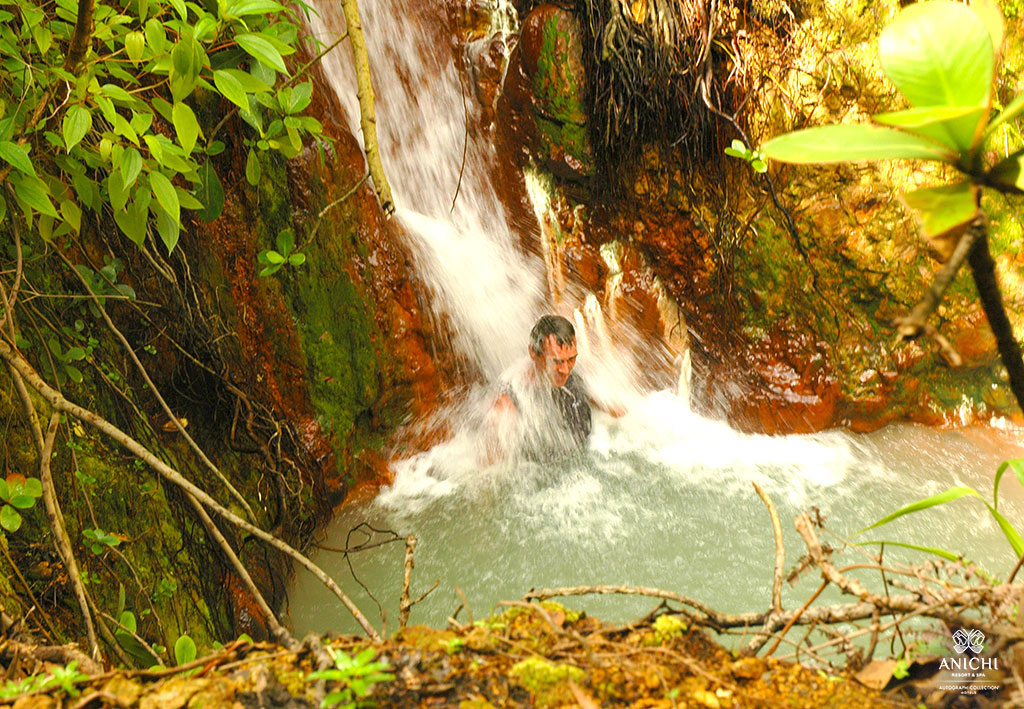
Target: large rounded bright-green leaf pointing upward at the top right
938,54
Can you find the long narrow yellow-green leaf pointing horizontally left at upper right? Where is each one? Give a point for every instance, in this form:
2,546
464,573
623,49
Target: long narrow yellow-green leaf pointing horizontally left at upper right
852,142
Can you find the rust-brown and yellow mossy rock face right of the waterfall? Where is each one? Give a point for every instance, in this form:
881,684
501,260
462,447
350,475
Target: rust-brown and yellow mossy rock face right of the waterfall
792,326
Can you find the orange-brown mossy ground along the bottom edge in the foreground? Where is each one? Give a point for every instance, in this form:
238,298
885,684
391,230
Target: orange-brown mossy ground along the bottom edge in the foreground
523,658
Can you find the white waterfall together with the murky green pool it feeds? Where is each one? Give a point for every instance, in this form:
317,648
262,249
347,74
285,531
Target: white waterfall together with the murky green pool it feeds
662,497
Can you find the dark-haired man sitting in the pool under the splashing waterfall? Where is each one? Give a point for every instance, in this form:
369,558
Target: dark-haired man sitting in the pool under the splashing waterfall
550,400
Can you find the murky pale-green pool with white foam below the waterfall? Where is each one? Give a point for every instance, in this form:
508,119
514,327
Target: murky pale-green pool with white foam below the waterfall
663,498
